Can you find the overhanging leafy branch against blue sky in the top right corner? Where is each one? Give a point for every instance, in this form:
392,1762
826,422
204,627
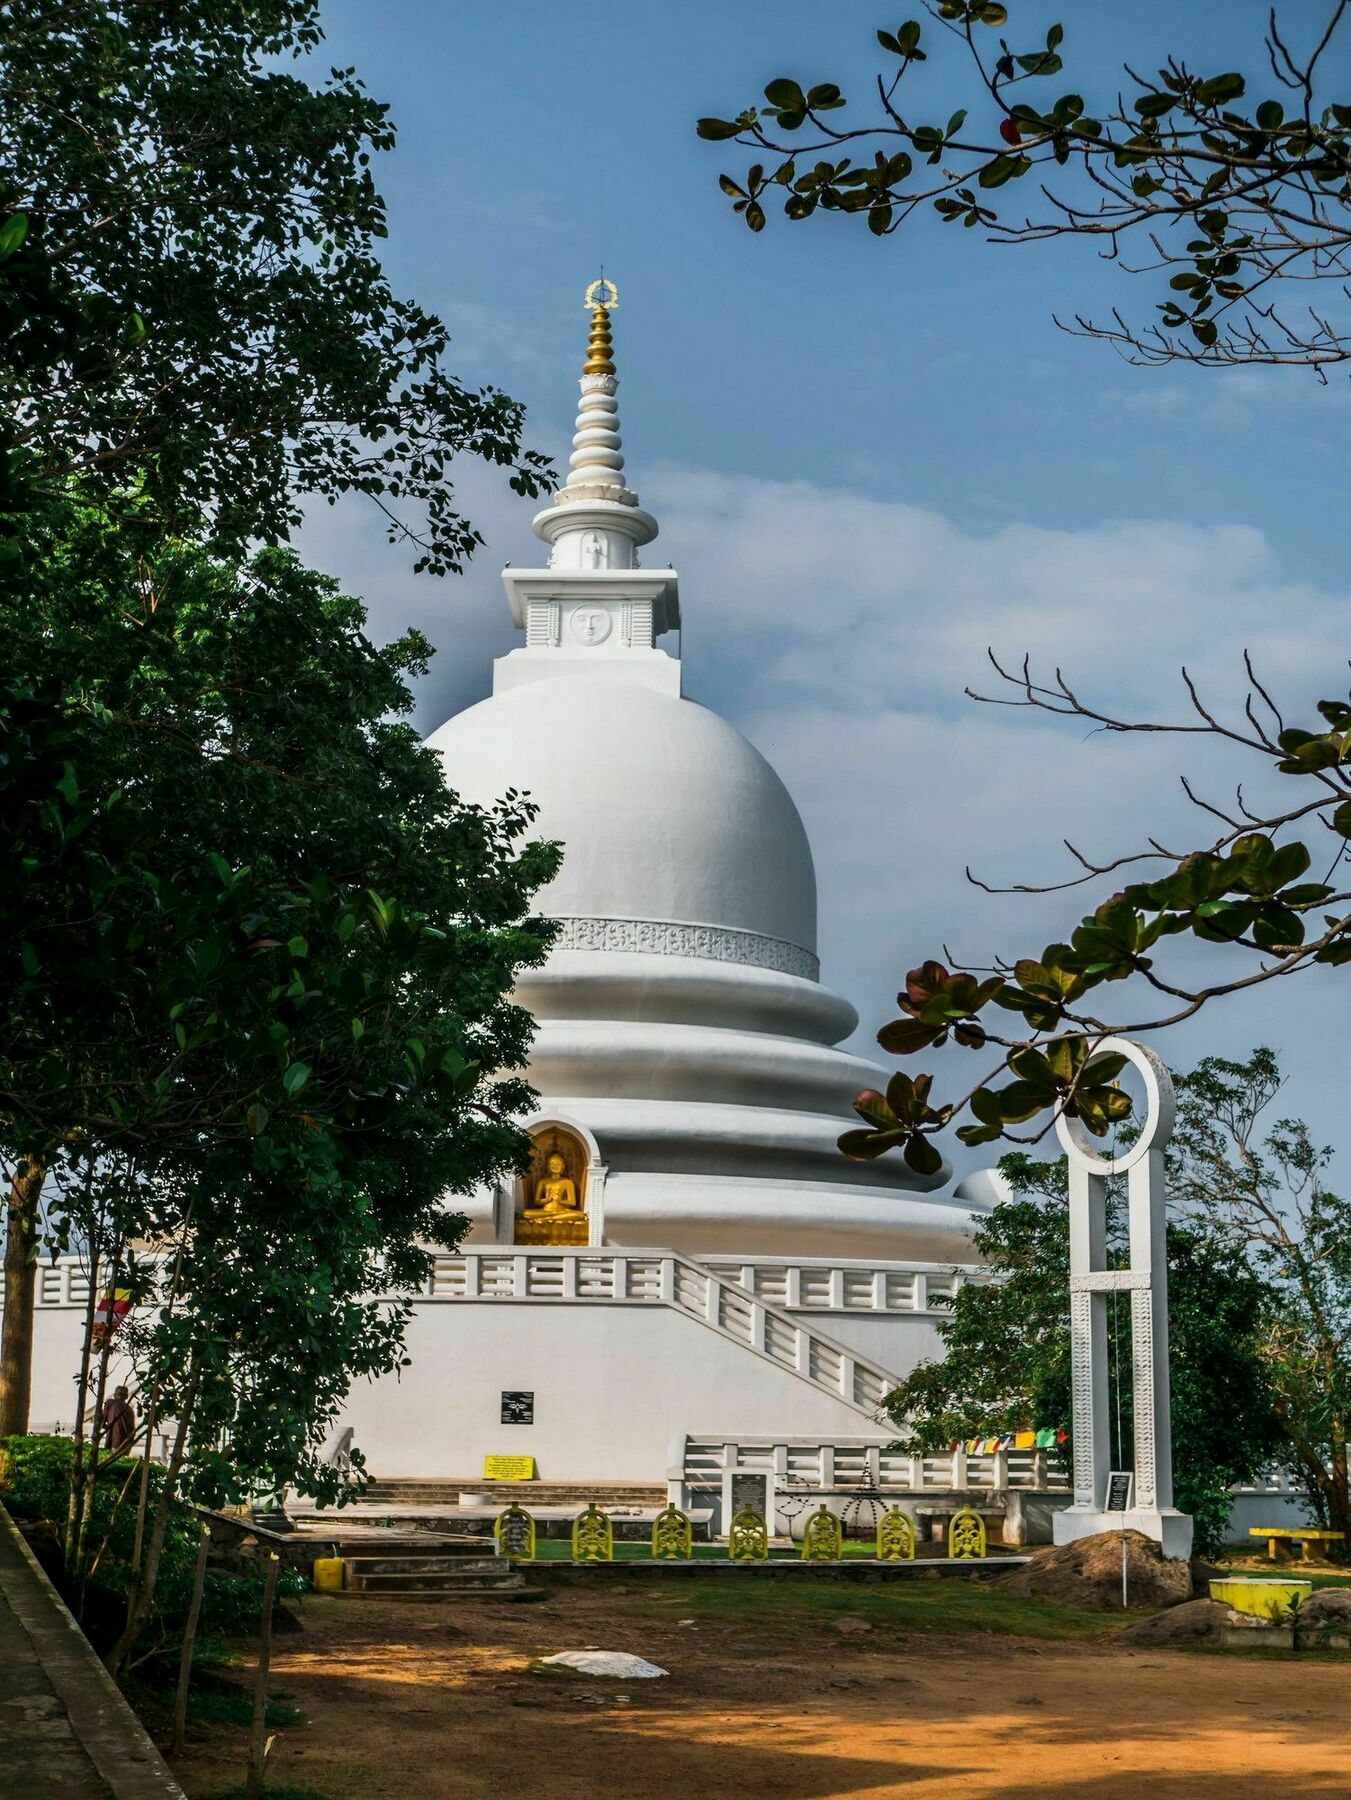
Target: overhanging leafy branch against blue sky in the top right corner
1226,192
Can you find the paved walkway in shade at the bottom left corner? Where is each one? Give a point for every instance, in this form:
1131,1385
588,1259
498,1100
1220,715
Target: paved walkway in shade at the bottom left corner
66,1731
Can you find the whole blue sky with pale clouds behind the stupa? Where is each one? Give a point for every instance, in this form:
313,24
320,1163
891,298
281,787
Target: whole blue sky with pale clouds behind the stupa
872,462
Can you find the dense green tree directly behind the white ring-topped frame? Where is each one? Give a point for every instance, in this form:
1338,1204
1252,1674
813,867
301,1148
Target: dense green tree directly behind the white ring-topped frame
1007,1363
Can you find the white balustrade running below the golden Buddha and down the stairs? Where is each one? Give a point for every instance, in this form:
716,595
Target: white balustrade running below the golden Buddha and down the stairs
663,1279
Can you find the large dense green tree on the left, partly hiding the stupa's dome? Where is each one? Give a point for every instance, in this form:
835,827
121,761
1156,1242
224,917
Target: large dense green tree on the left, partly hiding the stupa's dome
258,967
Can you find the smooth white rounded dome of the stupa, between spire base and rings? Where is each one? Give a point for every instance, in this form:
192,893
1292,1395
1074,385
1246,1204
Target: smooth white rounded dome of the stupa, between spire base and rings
665,811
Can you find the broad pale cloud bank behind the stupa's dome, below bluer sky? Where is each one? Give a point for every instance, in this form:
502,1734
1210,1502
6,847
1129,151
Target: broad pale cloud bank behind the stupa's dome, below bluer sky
841,633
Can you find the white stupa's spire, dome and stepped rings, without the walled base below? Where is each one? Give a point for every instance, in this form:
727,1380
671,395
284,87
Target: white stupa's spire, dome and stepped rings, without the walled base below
684,1032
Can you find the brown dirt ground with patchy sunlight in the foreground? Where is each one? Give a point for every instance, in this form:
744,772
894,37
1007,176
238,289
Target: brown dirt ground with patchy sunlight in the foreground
424,1702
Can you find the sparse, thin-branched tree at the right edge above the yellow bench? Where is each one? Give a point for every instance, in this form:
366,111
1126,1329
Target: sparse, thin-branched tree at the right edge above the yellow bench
1264,1196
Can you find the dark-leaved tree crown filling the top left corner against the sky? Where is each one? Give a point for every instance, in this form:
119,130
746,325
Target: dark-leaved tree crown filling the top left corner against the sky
204,316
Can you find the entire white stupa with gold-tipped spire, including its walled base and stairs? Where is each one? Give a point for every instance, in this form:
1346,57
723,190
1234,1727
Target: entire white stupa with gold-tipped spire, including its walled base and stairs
692,1286
